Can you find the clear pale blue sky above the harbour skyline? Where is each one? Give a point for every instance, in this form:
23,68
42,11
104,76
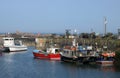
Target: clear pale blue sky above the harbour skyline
54,16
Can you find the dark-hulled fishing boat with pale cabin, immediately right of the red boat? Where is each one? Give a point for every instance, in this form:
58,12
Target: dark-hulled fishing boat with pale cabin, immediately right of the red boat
70,53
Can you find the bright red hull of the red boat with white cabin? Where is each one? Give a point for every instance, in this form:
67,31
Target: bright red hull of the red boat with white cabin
46,56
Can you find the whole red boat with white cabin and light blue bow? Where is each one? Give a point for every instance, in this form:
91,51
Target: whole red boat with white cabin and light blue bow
51,54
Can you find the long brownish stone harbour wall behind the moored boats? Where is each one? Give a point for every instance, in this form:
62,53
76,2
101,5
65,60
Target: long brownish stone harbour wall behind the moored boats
60,42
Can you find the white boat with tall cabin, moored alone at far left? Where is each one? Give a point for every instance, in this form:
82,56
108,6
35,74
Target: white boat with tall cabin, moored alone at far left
10,44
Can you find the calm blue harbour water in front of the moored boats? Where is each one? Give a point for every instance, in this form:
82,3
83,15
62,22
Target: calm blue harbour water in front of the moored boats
23,65
